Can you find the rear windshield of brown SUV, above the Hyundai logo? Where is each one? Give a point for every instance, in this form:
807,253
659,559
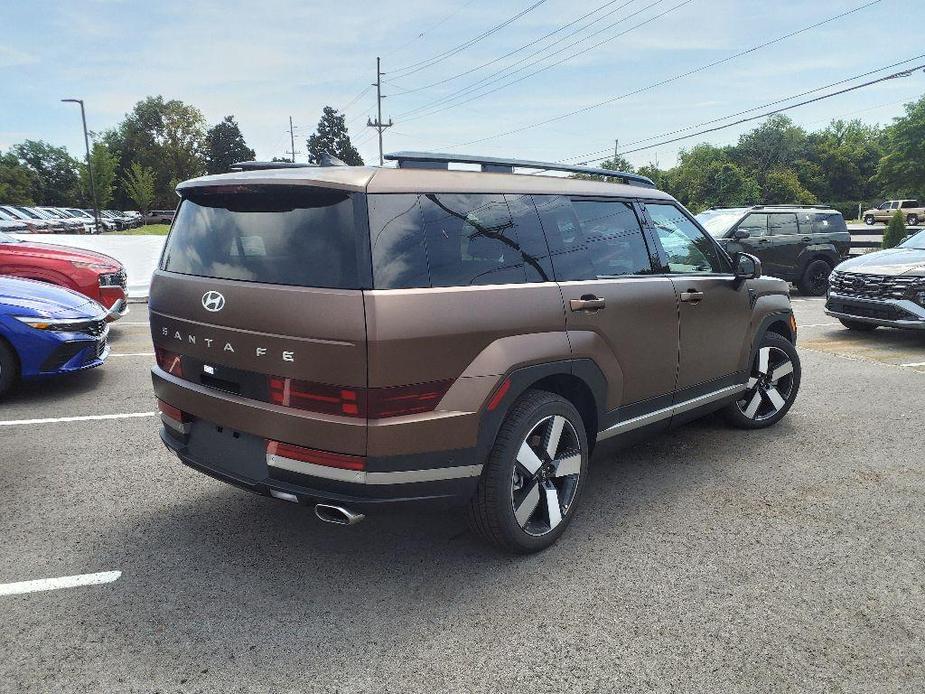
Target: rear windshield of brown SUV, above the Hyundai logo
291,236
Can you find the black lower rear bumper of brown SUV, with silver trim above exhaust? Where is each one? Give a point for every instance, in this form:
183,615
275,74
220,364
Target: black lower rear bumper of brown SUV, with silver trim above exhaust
309,490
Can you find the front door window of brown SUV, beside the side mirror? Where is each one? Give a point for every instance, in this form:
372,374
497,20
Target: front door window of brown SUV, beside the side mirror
688,249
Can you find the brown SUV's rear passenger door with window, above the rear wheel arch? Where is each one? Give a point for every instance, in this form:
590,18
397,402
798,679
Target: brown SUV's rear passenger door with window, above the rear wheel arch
617,311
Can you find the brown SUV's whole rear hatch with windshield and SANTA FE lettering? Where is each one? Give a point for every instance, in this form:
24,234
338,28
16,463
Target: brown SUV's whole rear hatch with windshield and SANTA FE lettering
258,301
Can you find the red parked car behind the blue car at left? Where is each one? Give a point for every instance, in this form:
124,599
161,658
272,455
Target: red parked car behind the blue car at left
93,274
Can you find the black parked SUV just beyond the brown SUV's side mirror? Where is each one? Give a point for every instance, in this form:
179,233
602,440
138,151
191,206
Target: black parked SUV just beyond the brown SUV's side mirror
798,243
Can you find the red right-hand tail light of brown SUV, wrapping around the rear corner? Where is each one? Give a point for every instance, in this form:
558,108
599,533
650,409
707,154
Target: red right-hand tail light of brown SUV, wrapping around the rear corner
374,403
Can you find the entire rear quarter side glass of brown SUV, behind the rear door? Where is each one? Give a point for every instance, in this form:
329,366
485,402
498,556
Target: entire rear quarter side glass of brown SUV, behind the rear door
454,240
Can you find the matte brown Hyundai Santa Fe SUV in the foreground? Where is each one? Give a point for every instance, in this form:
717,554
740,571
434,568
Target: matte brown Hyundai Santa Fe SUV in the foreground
350,338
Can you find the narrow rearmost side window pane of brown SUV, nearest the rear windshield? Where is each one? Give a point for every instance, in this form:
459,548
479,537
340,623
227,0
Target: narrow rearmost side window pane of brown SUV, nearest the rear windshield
396,236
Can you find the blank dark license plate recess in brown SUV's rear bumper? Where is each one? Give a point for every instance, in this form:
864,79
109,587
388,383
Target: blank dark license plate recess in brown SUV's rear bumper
235,452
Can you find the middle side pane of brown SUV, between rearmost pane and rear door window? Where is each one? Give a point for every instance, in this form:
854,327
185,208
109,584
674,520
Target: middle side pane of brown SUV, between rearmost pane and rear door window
470,239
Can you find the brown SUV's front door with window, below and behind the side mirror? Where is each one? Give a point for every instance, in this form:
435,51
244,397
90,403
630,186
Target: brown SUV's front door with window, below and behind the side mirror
715,310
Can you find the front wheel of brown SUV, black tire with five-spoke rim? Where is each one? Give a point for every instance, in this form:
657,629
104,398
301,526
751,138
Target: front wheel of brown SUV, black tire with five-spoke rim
770,408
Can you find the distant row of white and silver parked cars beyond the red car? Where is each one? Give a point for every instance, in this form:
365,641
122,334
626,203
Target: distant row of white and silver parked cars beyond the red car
63,220
